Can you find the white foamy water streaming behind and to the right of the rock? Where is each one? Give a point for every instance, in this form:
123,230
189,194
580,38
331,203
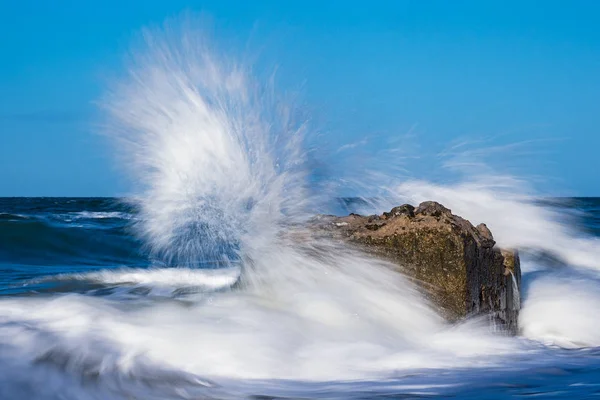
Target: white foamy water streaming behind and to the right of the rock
559,306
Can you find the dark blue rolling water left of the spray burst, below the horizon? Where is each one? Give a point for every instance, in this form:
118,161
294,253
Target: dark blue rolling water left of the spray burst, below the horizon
47,236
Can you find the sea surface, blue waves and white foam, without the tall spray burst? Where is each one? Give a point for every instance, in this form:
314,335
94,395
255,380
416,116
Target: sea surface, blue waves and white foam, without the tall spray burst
87,312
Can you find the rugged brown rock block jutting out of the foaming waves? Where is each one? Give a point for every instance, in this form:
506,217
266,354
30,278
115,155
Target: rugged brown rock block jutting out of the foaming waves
456,263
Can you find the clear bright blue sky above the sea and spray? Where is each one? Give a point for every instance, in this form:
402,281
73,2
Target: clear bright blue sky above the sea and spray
515,71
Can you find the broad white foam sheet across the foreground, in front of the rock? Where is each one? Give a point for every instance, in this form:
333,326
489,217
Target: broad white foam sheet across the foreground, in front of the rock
336,328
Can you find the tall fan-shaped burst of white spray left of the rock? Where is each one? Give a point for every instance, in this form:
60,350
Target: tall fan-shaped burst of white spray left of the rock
218,156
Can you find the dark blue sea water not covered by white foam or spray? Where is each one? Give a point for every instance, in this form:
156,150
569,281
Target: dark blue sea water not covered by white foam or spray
42,238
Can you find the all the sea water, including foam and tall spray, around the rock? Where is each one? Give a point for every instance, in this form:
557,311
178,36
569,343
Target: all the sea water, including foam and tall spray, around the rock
205,284
